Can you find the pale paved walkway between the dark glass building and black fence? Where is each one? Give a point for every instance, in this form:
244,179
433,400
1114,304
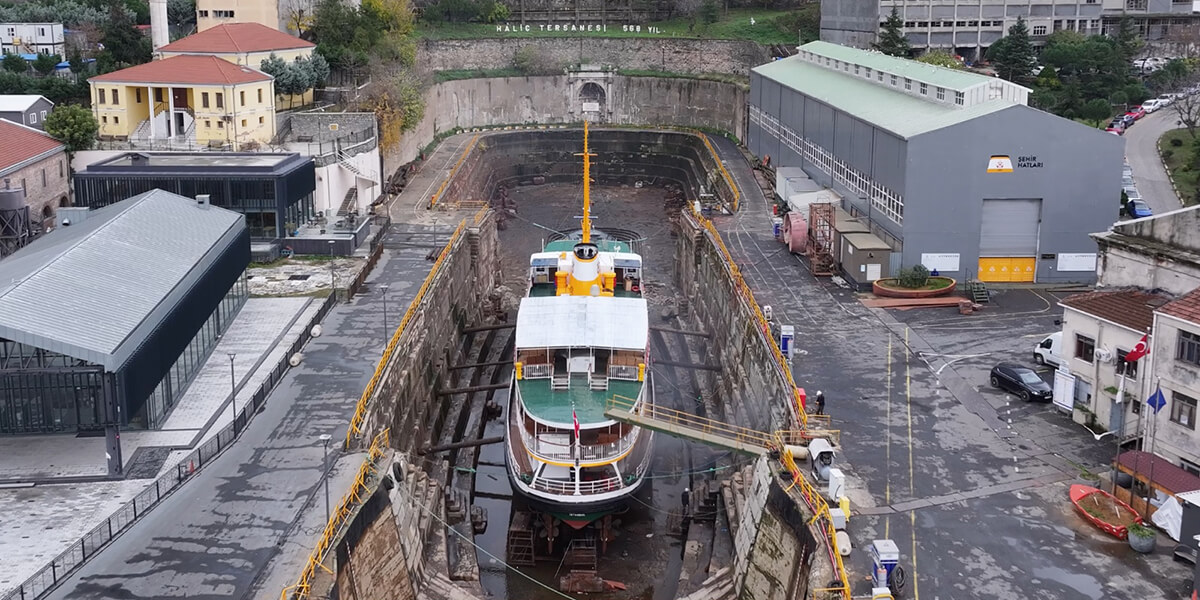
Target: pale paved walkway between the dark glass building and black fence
44,520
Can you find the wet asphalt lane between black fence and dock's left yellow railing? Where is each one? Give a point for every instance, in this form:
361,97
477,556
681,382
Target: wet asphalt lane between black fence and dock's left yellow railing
214,537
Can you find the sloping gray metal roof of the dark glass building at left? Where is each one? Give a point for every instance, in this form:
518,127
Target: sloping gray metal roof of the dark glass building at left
97,290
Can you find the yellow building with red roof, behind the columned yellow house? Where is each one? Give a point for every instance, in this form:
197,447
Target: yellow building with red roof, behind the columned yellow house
245,44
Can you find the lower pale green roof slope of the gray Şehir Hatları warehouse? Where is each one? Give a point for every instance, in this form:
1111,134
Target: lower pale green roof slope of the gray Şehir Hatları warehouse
884,107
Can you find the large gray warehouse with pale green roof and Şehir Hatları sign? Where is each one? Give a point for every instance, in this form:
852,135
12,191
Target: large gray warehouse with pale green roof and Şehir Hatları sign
949,169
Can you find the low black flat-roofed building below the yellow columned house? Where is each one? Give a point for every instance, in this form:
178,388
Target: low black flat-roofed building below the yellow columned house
273,190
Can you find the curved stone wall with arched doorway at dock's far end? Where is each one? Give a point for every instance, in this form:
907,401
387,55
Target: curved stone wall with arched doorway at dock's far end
551,100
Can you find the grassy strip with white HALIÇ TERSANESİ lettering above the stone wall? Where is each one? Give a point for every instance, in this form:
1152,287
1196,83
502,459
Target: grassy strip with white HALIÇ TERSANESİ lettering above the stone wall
734,25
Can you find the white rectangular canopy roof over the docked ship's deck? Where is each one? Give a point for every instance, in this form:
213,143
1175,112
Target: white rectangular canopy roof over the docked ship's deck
562,322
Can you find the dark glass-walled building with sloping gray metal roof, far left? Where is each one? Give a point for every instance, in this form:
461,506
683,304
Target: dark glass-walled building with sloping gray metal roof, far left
105,321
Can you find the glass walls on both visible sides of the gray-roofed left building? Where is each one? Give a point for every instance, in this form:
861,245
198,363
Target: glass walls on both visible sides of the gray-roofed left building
44,392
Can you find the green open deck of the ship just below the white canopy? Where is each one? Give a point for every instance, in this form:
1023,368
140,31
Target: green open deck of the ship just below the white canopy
555,406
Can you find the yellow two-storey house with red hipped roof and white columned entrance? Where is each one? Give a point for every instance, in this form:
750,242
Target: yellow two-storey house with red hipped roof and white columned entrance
188,100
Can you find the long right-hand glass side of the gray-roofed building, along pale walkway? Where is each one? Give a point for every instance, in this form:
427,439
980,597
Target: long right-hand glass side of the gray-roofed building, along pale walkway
157,409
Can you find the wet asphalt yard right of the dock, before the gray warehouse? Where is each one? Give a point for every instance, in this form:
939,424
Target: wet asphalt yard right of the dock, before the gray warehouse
977,505
